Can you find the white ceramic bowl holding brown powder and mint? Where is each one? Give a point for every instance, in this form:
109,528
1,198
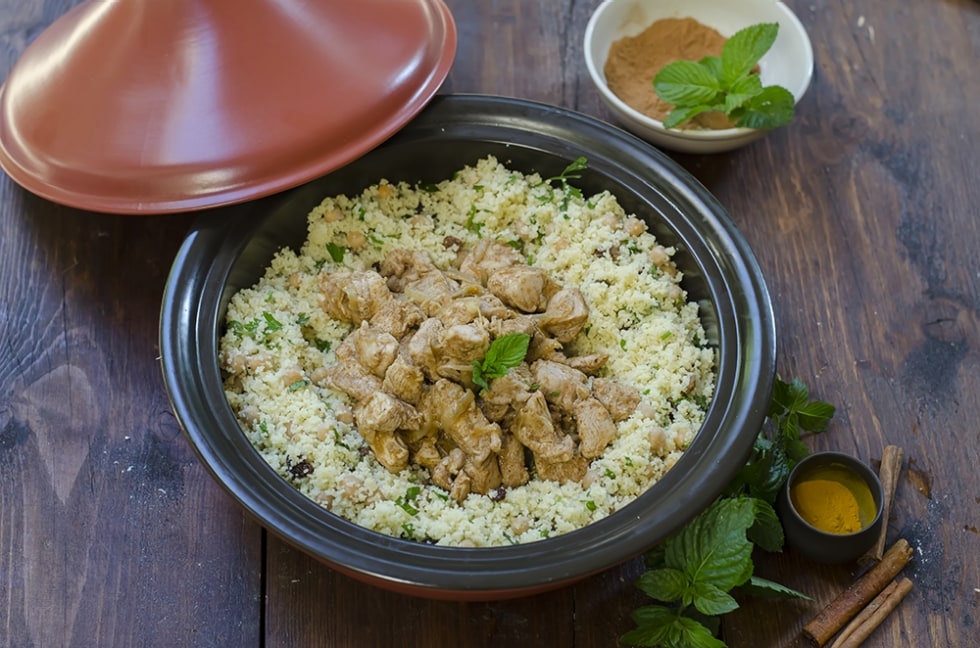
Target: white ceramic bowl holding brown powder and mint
789,63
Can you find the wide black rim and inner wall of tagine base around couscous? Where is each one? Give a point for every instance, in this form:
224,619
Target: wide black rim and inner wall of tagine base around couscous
190,322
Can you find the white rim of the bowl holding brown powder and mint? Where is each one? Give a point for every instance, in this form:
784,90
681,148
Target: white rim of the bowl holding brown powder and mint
719,135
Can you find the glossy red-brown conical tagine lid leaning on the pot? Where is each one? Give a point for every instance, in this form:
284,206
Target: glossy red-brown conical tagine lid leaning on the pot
167,106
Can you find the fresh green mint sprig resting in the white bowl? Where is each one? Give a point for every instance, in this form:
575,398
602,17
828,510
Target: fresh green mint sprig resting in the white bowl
727,84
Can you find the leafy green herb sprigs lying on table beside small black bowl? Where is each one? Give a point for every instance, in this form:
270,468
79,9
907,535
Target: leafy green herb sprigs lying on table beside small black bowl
693,572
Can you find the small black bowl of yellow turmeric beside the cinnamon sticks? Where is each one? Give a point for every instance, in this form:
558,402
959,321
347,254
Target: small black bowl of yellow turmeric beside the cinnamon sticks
825,545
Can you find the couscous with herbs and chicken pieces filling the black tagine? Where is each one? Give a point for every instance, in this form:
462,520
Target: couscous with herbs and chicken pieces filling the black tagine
292,375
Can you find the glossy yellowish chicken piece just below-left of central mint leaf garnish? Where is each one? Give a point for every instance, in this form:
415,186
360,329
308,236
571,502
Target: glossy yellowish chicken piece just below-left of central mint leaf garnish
452,409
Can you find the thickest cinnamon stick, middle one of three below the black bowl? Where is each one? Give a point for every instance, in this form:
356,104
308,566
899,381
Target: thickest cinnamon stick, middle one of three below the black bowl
849,602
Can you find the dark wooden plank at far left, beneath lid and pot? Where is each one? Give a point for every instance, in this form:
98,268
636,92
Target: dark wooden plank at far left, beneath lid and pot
108,523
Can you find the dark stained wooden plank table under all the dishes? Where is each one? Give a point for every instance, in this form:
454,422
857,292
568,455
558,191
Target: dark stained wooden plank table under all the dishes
864,217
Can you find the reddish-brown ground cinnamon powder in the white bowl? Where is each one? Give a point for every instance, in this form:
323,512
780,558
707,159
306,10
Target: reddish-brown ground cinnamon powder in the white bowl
634,61
